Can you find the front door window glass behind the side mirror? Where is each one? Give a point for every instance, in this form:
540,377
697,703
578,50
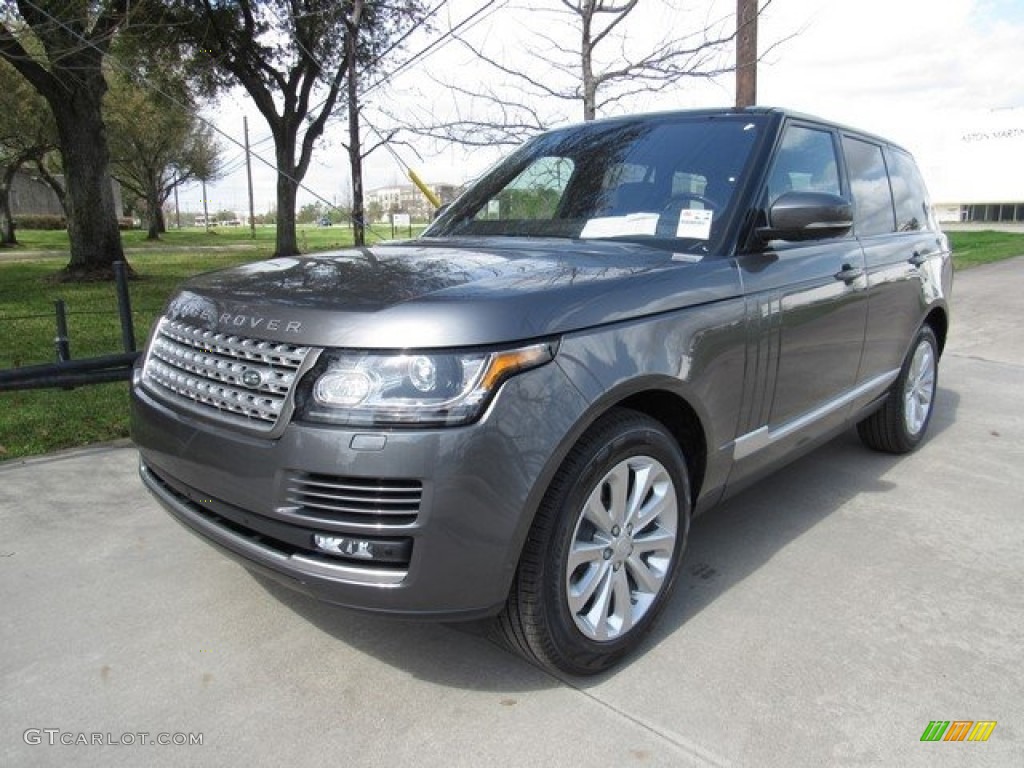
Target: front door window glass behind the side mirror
806,162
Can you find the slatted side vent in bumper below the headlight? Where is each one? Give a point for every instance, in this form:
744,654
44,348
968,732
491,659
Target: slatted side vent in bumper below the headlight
355,500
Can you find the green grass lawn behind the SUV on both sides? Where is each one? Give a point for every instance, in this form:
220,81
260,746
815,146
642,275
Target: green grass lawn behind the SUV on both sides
40,421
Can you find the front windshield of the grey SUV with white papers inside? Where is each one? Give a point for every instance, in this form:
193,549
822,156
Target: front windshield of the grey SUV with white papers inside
652,179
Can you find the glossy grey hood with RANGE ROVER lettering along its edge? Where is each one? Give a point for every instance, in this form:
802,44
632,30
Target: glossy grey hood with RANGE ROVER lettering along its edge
448,293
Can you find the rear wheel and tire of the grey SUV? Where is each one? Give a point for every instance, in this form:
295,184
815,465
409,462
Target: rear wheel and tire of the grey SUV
900,426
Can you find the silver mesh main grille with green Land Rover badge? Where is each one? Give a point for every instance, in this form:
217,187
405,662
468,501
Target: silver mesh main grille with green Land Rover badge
231,375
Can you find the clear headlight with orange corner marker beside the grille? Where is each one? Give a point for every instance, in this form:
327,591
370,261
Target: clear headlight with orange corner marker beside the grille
422,389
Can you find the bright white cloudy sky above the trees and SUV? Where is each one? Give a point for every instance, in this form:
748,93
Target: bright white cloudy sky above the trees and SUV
916,71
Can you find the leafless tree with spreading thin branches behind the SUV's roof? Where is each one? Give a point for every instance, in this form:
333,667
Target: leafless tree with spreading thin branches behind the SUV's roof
583,55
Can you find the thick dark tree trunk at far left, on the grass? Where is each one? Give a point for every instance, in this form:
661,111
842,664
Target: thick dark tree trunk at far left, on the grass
93,219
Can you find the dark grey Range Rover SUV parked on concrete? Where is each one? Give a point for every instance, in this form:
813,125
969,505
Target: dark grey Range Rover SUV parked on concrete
518,414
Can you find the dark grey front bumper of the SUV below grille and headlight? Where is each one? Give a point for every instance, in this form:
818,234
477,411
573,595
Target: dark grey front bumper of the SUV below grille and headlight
444,511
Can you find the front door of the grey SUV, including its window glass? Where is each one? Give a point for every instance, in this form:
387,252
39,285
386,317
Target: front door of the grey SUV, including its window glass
807,309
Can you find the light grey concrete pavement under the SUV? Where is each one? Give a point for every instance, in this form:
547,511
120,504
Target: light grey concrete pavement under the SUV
825,618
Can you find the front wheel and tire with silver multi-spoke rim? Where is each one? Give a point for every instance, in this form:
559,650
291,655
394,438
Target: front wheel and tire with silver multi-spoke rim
605,549
